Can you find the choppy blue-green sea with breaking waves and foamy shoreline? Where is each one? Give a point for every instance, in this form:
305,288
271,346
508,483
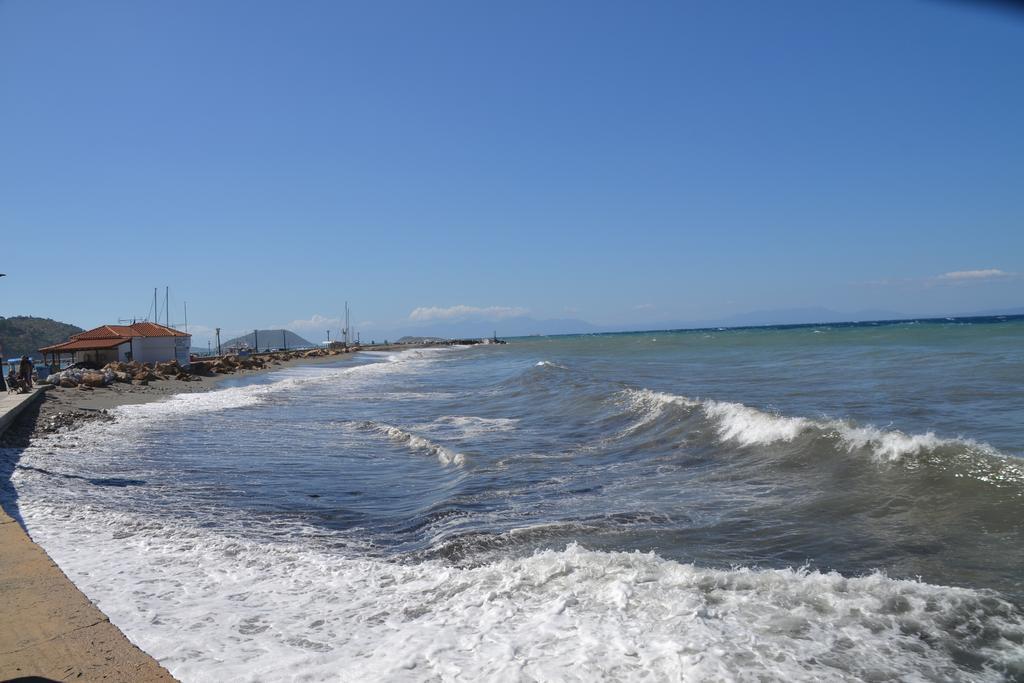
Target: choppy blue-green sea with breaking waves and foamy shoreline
803,503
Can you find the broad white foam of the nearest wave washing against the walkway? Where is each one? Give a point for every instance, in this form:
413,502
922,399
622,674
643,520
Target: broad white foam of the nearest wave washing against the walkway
215,609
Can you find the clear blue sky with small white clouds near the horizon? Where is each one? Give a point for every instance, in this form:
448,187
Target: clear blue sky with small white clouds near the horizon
620,163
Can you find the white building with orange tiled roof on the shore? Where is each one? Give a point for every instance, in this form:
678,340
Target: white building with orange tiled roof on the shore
146,343
